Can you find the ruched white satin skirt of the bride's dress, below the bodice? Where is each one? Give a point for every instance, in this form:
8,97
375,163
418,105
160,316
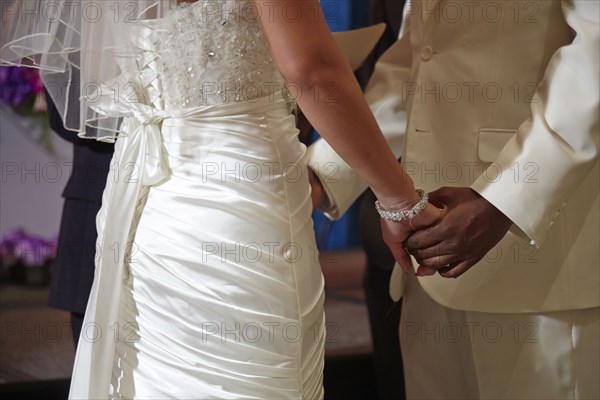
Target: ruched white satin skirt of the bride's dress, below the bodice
222,293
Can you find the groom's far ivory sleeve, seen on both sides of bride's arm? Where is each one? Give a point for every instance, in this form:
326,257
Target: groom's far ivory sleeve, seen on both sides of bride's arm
341,184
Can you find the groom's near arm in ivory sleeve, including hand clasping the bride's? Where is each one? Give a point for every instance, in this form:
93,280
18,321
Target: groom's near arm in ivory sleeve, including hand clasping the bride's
561,139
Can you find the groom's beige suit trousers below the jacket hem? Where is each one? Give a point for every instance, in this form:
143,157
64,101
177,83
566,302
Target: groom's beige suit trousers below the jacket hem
452,354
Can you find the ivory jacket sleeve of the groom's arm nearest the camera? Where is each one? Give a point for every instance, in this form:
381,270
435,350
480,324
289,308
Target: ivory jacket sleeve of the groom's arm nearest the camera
559,142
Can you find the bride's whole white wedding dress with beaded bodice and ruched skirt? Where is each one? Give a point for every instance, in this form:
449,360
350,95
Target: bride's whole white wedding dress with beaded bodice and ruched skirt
207,282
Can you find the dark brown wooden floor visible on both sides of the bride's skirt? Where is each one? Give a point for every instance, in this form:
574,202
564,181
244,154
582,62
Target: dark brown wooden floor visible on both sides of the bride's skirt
36,350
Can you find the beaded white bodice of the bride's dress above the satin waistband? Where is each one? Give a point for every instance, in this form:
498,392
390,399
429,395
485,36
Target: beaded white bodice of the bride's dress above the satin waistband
205,53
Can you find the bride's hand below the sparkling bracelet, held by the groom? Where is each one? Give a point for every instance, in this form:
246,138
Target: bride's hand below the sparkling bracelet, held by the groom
395,233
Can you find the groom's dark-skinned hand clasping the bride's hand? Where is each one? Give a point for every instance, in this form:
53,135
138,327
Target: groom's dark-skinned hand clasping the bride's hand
469,228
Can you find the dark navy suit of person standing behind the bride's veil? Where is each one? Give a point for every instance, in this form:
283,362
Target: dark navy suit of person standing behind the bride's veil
73,268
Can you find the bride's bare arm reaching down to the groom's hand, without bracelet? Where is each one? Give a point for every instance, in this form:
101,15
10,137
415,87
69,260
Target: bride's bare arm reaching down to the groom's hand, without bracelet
307,56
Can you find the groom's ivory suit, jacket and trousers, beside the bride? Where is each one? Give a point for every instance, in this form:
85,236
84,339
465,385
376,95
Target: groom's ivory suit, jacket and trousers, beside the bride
503,97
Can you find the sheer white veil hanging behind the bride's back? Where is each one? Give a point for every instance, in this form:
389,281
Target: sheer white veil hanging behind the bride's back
78,46
